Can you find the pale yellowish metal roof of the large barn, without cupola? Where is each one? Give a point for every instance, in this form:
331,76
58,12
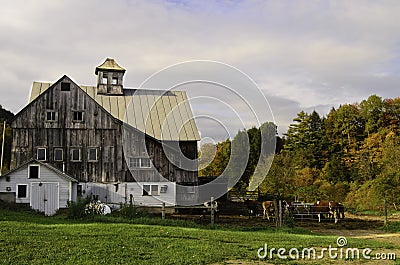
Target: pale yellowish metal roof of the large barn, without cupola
164,115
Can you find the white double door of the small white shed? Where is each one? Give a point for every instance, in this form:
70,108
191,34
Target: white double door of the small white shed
45,197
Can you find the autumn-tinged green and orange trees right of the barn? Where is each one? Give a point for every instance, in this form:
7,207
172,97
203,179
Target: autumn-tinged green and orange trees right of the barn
351,155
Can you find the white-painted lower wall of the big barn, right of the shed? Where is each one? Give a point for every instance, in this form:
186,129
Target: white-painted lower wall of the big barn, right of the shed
116,193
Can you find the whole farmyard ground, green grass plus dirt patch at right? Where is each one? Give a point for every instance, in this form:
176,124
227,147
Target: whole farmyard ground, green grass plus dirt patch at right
27,237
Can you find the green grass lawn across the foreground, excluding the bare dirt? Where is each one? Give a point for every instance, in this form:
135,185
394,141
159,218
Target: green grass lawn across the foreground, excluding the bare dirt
27,238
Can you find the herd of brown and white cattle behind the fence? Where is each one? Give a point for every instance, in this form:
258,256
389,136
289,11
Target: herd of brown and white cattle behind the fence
328,210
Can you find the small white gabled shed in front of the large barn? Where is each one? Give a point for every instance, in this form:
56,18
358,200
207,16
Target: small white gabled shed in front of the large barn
42,186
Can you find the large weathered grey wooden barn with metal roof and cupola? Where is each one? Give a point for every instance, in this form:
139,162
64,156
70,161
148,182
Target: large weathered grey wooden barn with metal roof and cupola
109,134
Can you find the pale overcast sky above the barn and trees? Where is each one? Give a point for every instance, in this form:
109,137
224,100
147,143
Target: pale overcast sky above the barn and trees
303,55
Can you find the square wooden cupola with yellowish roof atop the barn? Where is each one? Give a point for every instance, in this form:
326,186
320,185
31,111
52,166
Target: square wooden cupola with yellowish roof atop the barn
109,78
